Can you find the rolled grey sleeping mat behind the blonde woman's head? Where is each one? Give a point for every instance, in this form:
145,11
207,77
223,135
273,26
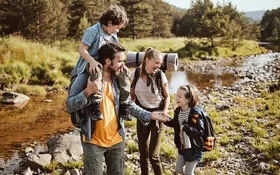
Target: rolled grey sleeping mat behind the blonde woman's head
170,60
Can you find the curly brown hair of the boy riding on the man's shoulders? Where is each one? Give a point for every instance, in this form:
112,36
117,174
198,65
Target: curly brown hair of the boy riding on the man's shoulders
114,13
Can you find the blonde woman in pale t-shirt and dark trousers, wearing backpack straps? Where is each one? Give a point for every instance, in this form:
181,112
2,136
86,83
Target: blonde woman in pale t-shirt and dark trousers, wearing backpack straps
149,89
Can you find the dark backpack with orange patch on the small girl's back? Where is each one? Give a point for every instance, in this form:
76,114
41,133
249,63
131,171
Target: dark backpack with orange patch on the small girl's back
209,135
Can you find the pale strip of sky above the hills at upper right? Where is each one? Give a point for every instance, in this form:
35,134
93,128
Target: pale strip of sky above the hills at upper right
241,5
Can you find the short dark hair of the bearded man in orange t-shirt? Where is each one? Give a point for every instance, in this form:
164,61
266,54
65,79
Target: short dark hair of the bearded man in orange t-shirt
109,50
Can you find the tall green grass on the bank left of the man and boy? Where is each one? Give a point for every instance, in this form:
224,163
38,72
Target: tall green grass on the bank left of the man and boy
32,63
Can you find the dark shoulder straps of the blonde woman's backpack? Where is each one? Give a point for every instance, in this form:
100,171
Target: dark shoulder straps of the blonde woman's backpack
157,78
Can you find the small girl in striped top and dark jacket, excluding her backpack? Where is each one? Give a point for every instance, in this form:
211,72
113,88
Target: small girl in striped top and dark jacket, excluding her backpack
188,124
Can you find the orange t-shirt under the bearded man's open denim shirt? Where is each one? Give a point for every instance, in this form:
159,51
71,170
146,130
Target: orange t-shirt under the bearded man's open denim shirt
106,133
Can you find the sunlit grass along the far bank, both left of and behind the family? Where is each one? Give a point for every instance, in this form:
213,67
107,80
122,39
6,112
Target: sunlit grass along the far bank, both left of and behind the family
33,63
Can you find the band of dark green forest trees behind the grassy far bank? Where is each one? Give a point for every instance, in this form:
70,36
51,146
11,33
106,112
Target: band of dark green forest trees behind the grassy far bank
51,20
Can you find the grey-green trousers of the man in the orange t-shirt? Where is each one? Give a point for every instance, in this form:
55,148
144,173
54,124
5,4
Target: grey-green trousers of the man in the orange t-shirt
114,159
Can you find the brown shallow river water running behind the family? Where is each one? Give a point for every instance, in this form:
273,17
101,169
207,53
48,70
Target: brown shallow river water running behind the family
44,117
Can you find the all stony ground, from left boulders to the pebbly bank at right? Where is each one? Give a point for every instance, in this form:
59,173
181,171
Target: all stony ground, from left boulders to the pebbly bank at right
63,148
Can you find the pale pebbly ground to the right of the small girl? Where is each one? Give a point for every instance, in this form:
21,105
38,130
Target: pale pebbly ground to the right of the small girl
250,76
